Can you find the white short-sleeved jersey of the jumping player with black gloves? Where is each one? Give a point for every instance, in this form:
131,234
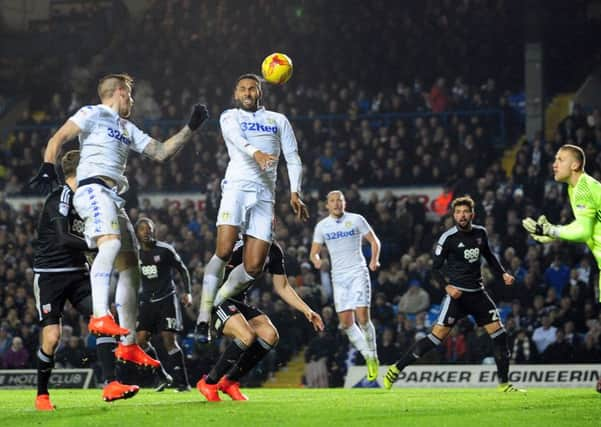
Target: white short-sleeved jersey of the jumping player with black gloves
105,141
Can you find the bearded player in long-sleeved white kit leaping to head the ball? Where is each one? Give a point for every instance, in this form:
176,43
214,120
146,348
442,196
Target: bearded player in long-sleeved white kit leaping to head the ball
255,138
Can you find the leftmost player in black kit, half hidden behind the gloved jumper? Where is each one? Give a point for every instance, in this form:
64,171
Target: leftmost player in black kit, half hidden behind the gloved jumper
61,273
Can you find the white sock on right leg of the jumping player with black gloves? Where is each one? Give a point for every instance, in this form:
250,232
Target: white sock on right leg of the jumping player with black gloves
126,301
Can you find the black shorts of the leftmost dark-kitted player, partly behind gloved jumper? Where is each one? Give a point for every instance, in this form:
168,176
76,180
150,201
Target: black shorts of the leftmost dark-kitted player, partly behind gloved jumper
51,290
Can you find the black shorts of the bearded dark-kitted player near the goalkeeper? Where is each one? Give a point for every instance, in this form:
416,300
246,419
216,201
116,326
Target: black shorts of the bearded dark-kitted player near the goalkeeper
479,304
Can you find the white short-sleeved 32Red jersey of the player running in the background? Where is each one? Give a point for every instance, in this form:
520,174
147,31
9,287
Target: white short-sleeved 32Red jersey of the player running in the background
342,236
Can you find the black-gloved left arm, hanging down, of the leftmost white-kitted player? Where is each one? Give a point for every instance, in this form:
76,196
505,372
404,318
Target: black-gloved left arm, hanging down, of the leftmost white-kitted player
46,177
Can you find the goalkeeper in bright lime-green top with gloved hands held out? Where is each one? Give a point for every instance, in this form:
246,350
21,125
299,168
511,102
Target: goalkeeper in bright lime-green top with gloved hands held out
585,198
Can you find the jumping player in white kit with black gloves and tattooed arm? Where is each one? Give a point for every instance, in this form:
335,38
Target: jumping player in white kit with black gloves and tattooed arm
105,137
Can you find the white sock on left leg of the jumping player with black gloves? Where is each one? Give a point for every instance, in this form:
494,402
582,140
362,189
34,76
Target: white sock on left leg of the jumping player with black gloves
100,276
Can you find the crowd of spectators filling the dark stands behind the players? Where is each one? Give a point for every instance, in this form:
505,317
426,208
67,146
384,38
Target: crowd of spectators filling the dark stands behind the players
349,141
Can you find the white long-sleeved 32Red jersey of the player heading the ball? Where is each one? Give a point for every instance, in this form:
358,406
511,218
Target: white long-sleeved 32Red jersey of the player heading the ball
265,130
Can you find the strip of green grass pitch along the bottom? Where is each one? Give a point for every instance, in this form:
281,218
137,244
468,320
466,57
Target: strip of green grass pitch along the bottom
312,407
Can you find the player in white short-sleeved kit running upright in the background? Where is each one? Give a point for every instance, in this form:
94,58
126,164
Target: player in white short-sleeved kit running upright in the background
342,232
